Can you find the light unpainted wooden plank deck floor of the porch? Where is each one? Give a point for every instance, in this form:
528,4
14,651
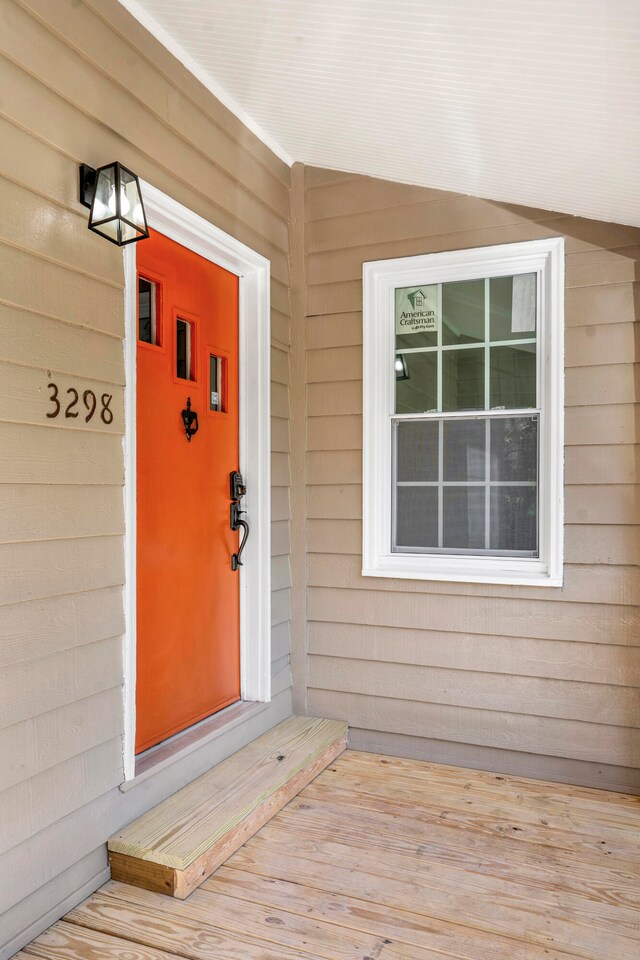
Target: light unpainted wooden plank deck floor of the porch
390,859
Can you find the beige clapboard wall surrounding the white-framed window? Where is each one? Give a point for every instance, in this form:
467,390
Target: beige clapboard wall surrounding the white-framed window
535,681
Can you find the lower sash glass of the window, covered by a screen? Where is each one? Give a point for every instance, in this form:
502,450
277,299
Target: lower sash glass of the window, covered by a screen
504,523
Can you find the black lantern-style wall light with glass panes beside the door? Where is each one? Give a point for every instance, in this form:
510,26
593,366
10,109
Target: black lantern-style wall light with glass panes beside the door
113,194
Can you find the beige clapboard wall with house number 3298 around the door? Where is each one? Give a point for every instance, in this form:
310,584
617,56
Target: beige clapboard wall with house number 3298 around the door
83,82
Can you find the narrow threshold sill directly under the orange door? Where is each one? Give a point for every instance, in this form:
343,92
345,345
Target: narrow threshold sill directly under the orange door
181,744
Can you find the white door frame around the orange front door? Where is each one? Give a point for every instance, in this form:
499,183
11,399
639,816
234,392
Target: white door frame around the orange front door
253,270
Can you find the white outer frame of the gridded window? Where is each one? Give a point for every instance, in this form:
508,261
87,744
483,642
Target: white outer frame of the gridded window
380,280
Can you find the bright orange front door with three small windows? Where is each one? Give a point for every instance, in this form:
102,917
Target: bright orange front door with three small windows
188,647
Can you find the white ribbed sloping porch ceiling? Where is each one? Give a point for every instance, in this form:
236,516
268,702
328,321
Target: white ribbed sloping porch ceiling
527,103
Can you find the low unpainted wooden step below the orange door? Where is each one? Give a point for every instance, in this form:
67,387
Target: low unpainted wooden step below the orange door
173,848
